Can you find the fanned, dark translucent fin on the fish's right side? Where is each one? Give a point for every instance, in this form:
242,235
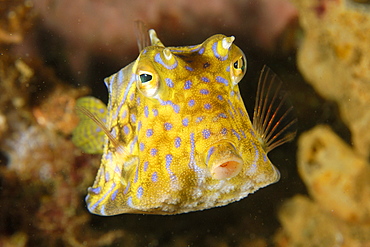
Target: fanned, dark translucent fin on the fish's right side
273,117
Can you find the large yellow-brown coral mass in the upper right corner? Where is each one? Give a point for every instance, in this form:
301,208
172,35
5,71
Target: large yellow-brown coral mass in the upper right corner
334,59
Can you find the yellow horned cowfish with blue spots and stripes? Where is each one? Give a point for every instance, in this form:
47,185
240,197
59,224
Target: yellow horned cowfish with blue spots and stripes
176,136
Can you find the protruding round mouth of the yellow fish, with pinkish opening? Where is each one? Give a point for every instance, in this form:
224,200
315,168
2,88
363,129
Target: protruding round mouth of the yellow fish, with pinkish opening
223,161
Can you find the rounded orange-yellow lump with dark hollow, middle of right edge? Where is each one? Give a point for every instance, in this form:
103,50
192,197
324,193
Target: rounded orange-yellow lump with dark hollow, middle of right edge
336,177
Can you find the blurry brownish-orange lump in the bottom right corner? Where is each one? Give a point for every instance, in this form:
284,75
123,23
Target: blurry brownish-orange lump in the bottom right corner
305,223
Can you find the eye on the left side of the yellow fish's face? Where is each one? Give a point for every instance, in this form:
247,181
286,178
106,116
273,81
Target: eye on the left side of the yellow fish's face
147,83
